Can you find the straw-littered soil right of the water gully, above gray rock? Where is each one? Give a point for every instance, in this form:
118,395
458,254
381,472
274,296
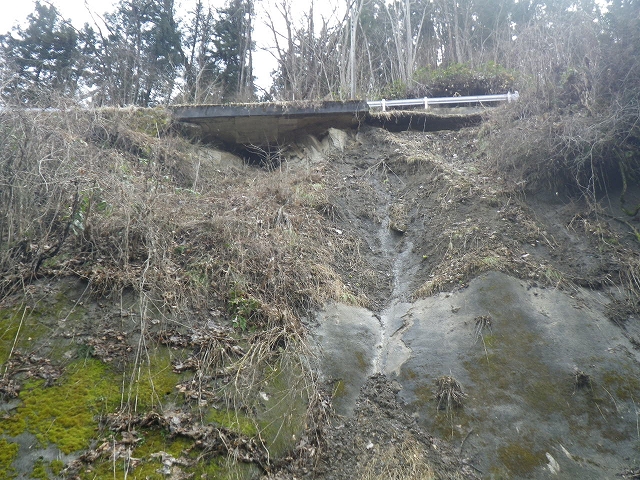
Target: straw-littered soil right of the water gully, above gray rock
485,224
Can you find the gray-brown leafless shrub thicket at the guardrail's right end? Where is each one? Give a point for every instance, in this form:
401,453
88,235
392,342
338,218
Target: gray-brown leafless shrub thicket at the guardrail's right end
574,129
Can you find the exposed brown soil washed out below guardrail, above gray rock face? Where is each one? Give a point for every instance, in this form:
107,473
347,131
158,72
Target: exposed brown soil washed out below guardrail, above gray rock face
456,209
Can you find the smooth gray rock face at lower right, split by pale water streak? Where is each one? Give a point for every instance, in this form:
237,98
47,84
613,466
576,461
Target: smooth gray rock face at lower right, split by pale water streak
550,383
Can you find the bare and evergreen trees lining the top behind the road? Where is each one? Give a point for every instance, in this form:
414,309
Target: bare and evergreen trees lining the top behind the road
144,55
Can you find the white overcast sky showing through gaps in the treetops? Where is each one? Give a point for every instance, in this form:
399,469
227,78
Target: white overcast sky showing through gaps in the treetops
80,11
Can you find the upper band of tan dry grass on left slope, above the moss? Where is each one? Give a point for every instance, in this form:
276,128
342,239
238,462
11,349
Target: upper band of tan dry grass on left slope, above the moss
106,195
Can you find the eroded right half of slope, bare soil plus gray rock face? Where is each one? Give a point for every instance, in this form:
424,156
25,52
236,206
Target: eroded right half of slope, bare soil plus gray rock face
435,217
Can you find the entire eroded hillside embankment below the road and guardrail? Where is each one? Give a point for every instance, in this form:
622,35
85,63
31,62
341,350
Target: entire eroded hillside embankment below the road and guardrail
367,304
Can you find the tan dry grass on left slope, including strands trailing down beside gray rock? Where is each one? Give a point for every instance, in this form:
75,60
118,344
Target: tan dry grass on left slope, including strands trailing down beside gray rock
113,197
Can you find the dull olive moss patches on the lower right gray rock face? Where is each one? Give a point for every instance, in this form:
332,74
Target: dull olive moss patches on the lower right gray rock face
509,368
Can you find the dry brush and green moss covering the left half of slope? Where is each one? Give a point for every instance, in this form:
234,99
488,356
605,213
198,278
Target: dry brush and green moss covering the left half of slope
134,212
